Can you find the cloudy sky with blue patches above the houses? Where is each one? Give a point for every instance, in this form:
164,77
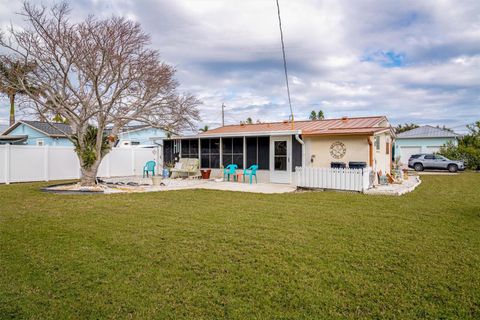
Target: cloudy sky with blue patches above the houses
413,61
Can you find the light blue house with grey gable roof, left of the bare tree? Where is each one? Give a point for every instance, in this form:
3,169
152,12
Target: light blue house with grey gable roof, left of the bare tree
37,133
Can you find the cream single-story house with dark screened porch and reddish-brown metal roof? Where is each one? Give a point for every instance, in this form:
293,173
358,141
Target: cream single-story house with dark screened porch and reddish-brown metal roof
279,147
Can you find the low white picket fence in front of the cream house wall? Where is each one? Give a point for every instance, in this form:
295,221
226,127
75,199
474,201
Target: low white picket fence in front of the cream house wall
333,178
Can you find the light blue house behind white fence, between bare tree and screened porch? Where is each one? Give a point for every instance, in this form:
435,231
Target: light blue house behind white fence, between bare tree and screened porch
140,135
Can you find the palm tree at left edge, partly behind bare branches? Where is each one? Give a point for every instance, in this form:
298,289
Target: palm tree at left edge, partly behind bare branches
10,73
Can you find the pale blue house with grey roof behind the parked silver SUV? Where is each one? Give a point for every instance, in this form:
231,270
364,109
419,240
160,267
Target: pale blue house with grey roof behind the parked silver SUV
425,139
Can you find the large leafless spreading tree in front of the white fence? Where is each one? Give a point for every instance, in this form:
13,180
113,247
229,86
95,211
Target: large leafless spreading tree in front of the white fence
96,74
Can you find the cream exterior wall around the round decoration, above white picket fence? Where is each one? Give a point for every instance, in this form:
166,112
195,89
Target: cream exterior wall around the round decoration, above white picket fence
318,150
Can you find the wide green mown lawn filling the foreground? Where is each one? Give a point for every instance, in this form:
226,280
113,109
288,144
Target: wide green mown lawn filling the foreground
210,254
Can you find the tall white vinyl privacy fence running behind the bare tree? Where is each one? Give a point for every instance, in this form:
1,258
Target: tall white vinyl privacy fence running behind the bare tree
32,163
